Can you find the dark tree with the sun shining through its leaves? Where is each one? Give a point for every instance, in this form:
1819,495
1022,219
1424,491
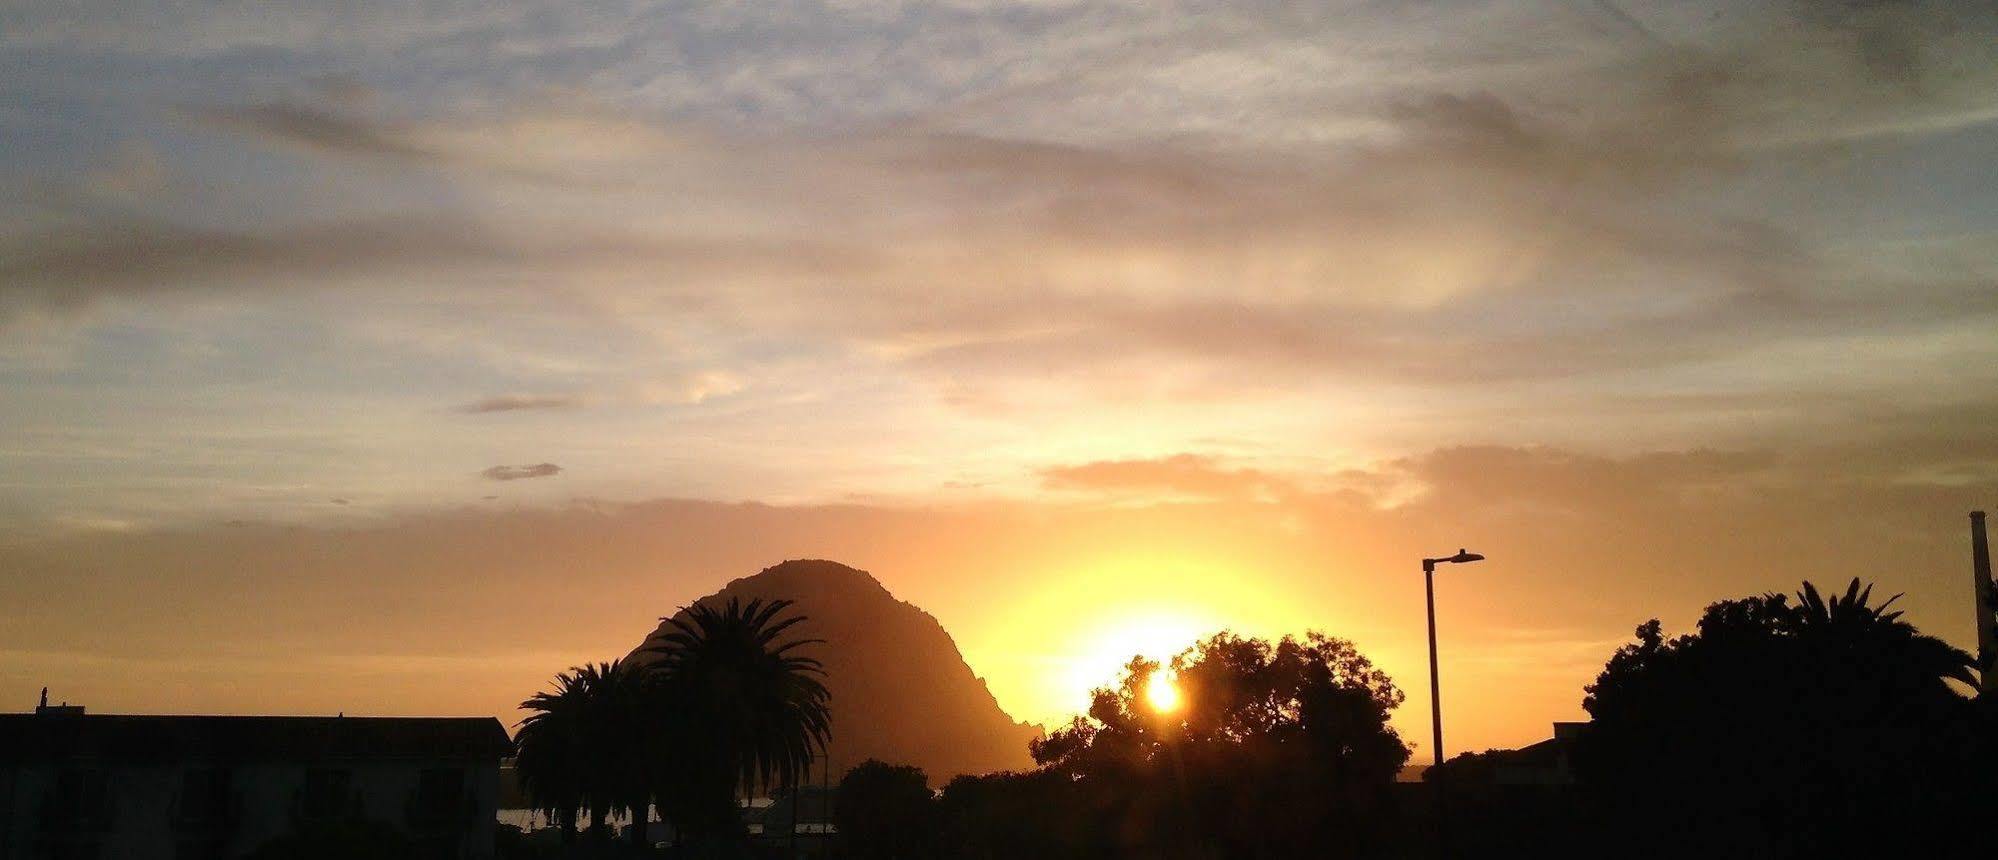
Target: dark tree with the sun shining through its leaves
1276,751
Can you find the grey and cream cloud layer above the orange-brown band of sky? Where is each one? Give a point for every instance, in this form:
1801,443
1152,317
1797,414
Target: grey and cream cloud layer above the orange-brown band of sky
810,251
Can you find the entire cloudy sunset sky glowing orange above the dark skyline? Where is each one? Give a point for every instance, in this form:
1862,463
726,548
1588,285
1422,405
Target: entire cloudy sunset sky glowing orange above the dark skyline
391,359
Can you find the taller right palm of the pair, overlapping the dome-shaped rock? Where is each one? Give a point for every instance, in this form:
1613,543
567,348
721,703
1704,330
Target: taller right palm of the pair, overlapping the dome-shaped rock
746,711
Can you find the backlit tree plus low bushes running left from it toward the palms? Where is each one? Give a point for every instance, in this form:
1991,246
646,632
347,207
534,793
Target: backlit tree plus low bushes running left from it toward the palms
1276,751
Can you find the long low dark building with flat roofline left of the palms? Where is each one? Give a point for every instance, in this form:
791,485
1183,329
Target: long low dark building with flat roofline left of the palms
219,787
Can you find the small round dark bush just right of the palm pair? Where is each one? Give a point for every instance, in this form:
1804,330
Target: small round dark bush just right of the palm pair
886,813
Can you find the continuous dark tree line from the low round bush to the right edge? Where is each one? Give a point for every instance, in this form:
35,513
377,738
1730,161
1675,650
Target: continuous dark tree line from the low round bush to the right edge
1785,727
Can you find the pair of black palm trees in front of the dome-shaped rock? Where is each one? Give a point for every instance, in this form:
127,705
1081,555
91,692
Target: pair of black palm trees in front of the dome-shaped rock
728,709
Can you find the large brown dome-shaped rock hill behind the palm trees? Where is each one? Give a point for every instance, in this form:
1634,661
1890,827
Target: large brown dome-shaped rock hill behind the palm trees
902,693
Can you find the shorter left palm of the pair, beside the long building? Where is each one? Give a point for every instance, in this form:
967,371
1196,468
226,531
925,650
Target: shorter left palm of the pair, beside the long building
572,751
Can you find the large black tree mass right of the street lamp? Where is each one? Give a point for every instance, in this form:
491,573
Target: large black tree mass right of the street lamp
1813,729
